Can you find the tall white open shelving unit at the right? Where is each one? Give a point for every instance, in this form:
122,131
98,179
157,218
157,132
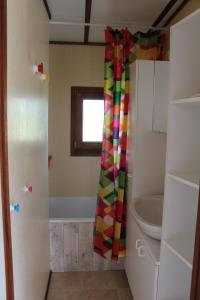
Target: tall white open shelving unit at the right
183,162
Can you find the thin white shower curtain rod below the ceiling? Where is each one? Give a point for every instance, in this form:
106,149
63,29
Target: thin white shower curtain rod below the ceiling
105,25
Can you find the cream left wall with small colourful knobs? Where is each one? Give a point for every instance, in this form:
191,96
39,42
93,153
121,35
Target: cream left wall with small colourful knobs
28,149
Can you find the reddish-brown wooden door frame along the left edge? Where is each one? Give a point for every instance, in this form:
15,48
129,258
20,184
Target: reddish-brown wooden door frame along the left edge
4,176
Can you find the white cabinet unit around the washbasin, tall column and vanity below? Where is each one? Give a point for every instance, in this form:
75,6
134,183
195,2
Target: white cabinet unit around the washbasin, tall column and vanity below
146,167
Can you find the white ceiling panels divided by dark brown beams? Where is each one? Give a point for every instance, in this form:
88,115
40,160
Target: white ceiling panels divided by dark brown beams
139,12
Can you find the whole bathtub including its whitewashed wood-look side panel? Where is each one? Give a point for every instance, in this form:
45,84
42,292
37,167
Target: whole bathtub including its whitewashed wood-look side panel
71,227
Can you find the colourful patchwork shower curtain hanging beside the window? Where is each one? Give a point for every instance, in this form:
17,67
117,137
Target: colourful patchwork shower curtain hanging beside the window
122,48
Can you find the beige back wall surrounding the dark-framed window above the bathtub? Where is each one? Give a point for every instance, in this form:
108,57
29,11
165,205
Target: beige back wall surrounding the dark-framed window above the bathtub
71,66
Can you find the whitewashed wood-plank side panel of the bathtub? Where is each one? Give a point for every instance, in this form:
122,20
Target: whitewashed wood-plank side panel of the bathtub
71,243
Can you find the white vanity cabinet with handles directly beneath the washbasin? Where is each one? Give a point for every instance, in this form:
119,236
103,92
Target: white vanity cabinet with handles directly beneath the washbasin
141,272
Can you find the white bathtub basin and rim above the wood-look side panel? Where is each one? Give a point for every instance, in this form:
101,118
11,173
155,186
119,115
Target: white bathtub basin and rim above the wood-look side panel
72,208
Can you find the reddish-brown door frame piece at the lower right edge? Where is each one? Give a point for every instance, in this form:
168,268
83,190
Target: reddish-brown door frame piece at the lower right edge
195,289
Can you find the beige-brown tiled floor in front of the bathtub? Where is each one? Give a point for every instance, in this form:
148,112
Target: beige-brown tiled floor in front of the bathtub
109,285
